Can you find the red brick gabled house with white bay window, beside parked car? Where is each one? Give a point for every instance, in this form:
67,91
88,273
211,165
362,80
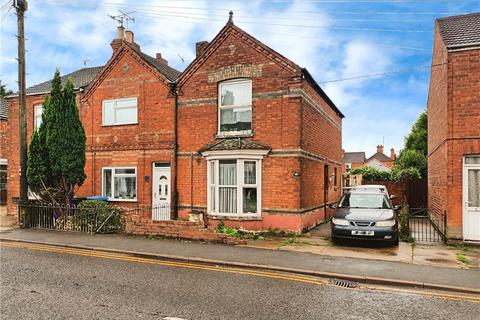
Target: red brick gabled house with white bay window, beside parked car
259,142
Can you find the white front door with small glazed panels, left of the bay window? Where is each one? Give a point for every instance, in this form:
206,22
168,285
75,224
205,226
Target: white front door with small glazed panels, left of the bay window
161,193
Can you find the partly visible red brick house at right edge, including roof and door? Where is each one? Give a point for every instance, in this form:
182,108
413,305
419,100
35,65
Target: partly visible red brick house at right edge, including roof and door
454,126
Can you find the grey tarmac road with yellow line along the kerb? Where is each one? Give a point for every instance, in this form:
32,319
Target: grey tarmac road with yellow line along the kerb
42,283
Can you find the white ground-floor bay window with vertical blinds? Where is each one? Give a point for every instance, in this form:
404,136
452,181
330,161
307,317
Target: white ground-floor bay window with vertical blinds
234,186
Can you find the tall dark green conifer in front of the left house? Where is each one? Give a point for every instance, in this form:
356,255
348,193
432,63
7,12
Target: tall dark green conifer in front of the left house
56,160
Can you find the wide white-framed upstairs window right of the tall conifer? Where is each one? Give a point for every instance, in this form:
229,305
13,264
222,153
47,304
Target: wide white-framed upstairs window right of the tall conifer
119,111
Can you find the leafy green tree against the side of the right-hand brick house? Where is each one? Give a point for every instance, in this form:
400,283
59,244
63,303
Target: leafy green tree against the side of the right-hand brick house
414,155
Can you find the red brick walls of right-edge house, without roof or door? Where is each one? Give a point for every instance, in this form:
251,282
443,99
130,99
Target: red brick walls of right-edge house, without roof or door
454,130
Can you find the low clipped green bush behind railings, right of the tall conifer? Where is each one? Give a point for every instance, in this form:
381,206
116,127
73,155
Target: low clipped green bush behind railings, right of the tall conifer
99,215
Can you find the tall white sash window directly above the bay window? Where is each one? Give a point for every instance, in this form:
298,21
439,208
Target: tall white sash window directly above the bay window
235,107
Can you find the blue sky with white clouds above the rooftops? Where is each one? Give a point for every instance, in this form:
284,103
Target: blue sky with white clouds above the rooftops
333,39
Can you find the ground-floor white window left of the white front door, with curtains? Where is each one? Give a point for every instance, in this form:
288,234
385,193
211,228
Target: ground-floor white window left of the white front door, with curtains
119,183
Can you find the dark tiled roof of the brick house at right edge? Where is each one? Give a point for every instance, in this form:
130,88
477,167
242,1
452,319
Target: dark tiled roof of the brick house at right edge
460,31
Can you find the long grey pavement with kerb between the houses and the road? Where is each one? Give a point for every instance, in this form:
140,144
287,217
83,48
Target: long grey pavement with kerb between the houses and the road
361,270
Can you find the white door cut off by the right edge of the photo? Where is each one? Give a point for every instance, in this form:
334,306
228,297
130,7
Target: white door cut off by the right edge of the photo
471,198
